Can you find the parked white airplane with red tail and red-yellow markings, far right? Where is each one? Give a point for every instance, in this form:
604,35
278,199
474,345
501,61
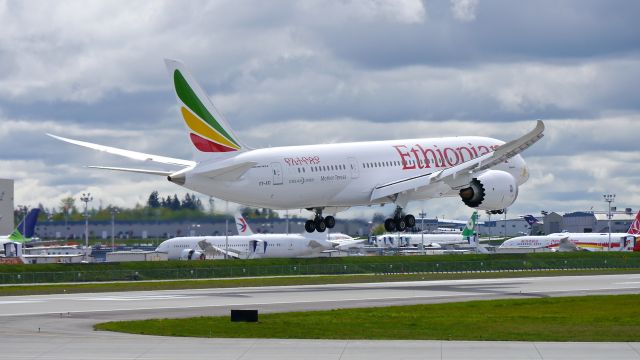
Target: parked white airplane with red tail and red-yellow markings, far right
579,241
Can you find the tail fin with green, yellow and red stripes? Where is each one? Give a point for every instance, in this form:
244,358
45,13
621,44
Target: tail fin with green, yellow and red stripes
209,132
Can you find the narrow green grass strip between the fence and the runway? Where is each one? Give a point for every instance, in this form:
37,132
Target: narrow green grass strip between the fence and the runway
15,290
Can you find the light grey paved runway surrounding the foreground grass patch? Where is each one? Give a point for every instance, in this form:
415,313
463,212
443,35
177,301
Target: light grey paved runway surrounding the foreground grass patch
60,326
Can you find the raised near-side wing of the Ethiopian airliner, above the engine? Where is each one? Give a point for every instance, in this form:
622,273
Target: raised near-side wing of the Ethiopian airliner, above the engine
449,175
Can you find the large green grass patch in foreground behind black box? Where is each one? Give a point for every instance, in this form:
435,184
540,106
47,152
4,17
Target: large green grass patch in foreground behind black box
583,318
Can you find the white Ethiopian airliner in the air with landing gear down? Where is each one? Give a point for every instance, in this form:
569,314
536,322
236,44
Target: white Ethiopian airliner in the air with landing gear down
484,172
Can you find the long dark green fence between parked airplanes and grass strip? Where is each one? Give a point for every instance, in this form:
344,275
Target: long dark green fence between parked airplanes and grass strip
321,269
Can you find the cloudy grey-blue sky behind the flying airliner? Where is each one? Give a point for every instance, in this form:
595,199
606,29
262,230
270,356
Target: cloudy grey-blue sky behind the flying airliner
302,72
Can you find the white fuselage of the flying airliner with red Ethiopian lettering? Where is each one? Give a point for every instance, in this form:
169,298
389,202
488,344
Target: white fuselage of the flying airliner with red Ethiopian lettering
341,175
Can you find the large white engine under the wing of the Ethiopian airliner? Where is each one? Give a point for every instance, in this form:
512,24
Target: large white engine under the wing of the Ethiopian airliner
493,190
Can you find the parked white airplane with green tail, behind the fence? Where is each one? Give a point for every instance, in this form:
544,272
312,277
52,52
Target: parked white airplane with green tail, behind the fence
467,236
